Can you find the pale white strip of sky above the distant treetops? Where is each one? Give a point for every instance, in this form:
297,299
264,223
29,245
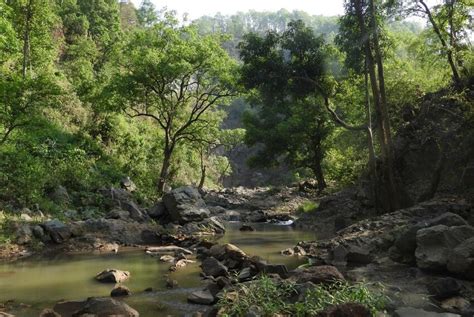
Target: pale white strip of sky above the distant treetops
197,8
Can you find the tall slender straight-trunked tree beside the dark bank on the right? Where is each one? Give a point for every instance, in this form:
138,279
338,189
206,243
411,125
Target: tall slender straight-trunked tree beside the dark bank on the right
362,21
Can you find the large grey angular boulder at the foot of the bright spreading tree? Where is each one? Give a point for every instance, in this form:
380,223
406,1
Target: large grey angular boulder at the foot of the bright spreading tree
184,204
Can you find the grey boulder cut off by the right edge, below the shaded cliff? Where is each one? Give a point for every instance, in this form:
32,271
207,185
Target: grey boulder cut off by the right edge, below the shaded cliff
461,259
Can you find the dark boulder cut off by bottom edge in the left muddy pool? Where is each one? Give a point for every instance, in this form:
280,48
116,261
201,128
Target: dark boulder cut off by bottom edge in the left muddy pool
106,307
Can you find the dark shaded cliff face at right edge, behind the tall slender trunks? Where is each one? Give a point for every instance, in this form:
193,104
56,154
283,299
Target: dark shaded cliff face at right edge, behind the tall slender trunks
435,147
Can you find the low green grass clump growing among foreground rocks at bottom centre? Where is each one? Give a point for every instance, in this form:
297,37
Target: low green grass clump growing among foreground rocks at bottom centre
272,297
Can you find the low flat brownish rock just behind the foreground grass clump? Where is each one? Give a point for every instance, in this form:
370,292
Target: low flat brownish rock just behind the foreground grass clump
324,274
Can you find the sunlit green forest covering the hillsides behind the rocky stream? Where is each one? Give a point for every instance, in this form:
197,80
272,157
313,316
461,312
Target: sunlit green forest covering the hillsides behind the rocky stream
95,91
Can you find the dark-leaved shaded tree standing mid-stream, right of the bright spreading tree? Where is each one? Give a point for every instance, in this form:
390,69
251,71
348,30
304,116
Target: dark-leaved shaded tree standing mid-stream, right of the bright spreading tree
290,121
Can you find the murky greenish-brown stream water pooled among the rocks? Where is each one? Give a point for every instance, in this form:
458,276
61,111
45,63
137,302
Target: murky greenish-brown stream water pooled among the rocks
40,282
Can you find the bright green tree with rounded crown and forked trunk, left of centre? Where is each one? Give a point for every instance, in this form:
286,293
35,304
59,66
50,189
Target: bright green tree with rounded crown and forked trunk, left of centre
177,79
